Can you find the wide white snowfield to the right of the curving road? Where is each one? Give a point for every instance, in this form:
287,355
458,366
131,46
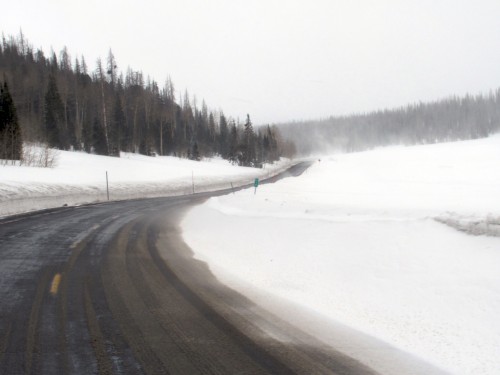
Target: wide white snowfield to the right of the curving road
369,240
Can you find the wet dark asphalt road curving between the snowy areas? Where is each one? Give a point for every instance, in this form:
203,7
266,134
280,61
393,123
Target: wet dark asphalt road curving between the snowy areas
112,289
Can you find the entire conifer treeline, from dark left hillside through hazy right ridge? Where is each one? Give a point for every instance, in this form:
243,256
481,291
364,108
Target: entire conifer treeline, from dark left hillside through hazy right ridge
65,104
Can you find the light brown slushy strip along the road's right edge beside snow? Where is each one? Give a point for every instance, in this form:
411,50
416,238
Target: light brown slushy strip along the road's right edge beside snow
237,316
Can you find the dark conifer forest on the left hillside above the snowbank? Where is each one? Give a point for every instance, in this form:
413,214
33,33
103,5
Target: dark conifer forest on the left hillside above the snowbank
60,102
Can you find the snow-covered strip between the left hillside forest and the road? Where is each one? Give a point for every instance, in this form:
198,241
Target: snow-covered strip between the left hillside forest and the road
81,178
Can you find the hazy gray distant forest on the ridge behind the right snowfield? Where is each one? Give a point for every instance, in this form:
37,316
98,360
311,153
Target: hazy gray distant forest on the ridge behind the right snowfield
445,120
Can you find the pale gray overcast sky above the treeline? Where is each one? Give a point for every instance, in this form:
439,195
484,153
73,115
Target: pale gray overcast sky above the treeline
282,59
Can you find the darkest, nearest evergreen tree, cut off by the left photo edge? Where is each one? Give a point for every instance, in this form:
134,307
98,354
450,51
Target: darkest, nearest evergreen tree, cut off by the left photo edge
11,143
